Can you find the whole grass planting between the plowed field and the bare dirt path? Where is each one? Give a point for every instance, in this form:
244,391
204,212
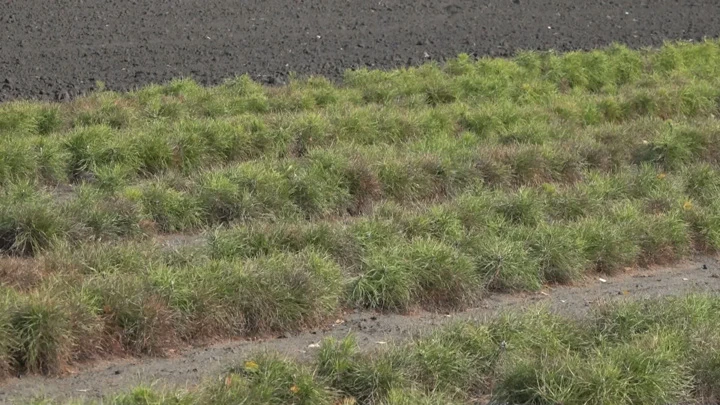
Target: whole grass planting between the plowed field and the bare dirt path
413,188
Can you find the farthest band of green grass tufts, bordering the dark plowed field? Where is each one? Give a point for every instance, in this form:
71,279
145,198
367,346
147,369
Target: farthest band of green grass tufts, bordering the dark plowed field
183,127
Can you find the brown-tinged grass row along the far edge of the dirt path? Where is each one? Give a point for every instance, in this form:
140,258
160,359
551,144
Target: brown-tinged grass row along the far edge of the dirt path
141,297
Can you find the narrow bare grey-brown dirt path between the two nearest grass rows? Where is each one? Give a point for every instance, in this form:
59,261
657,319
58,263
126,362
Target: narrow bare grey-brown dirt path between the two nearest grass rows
372,331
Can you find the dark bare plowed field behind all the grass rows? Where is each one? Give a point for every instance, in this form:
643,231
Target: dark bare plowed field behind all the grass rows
58,49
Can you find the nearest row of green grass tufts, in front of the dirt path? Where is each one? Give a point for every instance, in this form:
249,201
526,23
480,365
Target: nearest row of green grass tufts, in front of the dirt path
634,352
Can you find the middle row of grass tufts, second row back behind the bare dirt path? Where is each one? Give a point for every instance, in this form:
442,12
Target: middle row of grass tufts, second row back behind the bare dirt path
333,183
